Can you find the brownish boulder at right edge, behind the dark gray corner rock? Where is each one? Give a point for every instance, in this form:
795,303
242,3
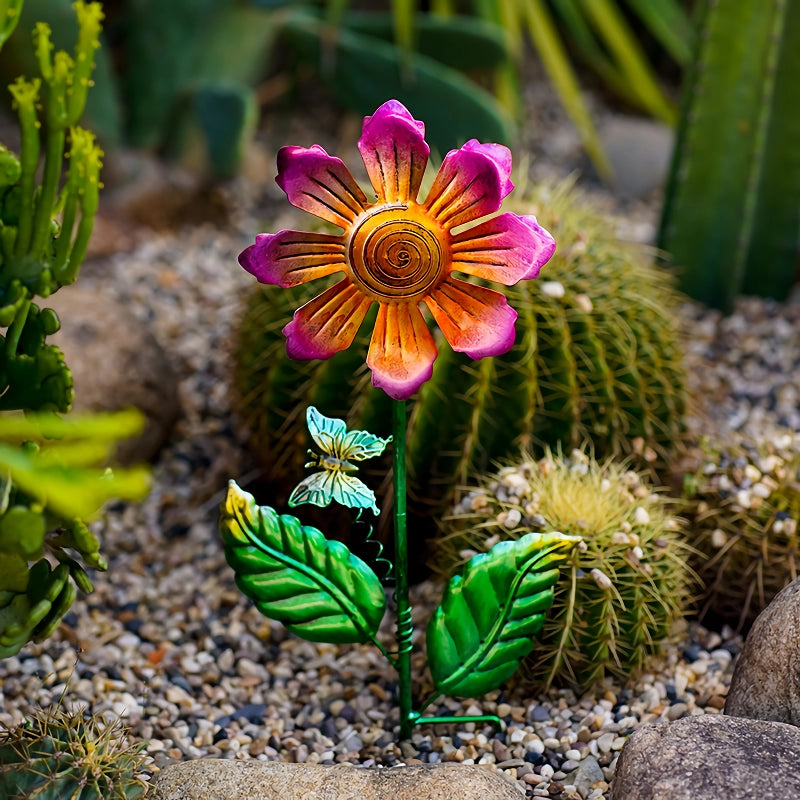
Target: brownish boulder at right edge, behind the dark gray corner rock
766,680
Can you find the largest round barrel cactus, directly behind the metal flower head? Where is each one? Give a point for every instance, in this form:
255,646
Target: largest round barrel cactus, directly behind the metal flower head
596,358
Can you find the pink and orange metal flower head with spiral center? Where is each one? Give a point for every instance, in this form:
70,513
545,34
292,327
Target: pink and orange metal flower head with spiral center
399,252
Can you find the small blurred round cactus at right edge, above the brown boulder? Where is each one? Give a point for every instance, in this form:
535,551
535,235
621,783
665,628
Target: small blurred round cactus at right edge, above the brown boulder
743,503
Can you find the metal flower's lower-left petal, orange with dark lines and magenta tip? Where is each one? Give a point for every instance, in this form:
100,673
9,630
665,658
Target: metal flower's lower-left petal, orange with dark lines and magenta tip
326,324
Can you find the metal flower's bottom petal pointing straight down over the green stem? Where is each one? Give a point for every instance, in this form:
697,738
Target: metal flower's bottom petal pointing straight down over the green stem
402,350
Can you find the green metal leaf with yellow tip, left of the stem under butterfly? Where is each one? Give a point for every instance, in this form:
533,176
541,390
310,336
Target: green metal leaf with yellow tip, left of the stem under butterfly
313,585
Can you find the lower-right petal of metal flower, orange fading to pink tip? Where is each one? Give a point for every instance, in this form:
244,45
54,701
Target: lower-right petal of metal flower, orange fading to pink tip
475,320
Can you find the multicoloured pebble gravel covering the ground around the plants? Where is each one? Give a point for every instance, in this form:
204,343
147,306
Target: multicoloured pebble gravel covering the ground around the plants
168,643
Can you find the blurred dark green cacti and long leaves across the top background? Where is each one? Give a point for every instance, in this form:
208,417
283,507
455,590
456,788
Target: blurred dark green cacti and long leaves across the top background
190,80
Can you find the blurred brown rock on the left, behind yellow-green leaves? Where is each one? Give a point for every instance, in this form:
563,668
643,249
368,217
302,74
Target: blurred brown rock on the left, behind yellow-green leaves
116,363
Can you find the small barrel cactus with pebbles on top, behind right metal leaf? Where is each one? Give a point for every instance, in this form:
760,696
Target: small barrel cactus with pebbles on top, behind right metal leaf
618,598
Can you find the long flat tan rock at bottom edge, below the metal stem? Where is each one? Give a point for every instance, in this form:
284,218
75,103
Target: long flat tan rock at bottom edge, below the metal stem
224,779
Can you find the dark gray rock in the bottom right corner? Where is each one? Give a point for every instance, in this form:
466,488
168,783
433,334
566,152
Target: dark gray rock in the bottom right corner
707,758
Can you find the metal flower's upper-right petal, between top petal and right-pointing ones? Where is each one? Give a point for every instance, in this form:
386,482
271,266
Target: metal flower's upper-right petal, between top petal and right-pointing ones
471,183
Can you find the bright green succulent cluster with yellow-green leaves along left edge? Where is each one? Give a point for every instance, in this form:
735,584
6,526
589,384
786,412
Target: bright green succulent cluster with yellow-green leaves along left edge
46,487
